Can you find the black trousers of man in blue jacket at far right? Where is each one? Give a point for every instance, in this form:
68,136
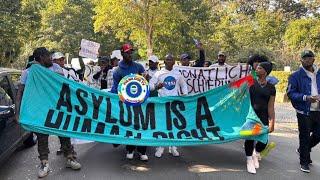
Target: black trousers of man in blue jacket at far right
309,134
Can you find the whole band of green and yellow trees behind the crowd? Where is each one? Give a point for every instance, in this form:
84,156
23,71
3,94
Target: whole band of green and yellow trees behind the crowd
279,29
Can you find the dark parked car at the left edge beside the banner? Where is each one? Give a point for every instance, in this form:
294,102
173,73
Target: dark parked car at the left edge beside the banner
12,135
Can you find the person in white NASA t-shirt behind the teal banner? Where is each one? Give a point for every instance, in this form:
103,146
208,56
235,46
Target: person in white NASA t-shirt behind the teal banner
168,82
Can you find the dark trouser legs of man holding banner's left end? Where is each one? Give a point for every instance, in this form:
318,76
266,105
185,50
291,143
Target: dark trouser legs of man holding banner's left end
43,146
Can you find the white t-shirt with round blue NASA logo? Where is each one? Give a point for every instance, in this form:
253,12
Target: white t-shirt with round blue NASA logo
173,83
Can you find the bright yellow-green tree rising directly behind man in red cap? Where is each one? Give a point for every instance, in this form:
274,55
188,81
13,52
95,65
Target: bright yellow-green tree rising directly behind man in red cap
140,21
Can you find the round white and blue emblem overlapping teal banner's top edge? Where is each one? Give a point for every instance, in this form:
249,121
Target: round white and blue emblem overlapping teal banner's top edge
133,89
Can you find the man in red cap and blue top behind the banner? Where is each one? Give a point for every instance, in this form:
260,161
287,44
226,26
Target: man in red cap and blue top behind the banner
128,66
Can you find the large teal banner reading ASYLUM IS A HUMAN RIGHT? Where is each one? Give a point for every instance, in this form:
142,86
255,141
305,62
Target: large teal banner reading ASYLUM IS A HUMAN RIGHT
52,104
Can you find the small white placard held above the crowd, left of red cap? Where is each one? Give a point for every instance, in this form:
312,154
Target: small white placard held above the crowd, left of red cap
89,49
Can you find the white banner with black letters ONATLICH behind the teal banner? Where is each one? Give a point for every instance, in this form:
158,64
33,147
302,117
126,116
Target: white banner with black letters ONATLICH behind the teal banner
200,79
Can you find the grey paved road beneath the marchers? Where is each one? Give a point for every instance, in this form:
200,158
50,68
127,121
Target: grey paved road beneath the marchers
225,161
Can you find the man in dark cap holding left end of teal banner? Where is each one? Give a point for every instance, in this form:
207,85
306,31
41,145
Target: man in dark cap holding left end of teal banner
42,56
